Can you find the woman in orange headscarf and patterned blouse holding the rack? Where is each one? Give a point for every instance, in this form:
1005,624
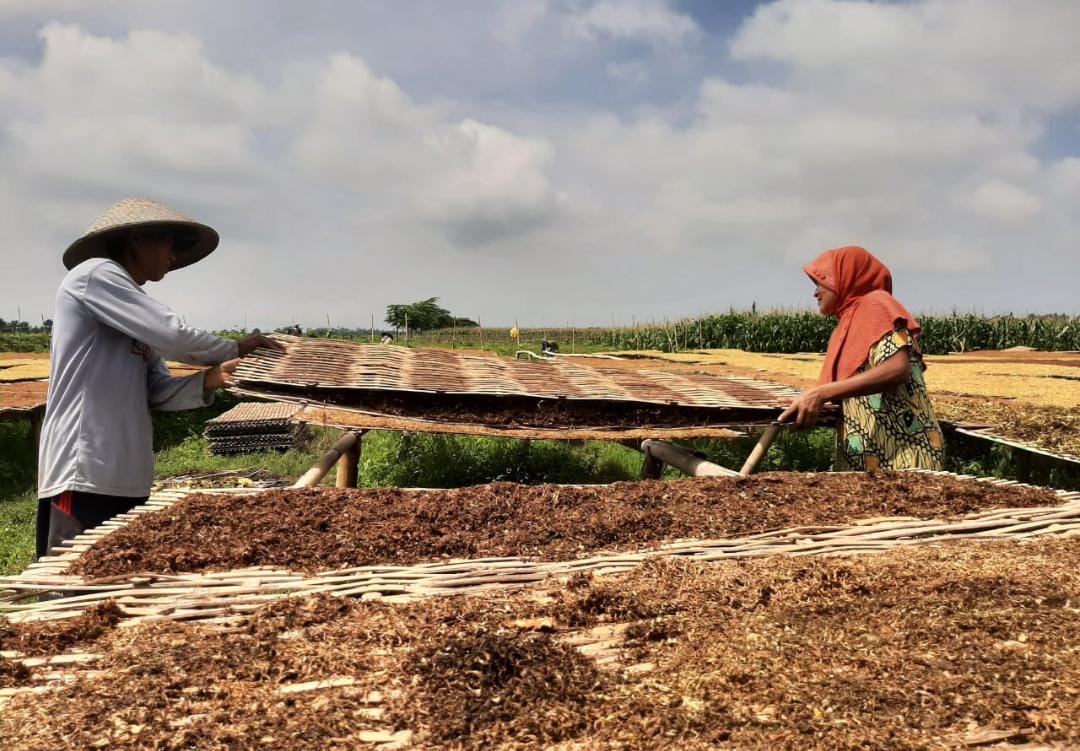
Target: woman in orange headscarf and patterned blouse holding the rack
873,369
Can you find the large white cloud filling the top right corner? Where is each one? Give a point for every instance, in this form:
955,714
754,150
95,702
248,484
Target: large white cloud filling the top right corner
994,55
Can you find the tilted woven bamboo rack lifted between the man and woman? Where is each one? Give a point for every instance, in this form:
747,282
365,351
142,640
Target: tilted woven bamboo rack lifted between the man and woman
325,365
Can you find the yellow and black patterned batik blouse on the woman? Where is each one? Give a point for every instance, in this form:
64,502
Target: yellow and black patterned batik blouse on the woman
896,430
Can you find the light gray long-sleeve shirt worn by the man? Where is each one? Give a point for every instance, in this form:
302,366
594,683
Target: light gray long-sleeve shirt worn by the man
107,374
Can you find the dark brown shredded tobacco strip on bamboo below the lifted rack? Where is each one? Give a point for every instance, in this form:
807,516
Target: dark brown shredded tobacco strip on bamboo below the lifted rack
319,530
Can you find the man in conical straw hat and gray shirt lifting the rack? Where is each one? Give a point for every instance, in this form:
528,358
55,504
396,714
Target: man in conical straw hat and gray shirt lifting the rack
109,369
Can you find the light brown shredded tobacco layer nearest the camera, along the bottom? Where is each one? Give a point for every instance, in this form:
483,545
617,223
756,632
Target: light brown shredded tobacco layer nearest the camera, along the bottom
933,647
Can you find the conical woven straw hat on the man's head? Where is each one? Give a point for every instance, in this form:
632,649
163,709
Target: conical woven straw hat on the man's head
195,240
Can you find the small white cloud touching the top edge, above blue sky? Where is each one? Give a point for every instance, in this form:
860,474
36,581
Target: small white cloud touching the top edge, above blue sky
649,21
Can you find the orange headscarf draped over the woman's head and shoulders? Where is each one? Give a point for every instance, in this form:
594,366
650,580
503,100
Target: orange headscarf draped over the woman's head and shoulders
865,304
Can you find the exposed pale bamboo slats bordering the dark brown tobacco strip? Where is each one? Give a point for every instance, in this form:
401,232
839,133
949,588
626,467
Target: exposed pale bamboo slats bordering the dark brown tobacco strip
229,595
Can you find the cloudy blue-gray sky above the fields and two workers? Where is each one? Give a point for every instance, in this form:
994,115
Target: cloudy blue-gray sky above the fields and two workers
550,163
